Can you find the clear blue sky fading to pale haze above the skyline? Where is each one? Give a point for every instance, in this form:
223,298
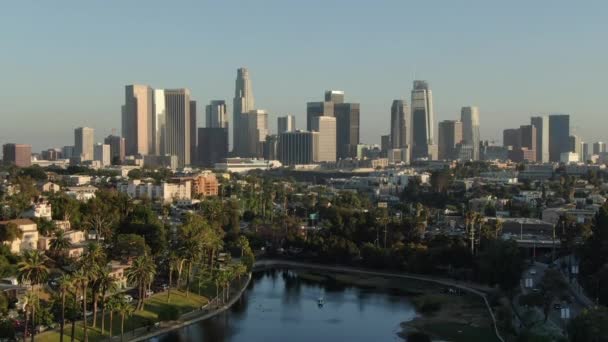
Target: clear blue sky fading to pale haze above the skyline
64,64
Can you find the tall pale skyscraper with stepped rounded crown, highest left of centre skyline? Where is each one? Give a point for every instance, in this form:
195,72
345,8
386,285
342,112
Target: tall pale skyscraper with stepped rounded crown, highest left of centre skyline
243,102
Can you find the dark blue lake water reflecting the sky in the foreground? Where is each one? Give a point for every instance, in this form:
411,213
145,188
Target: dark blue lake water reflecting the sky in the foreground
280,305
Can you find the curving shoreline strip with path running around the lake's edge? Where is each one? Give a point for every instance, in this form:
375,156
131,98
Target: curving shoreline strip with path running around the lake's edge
475,289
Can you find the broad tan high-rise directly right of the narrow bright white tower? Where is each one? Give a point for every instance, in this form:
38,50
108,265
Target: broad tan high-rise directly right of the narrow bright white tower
177,138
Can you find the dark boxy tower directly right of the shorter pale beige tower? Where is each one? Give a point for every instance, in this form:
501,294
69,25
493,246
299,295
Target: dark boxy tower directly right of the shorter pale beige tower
347,129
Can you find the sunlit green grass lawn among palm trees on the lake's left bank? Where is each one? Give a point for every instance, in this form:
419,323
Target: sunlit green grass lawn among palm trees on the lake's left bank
153,306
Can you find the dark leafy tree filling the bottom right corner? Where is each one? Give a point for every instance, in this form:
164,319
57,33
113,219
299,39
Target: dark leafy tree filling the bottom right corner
591,325
